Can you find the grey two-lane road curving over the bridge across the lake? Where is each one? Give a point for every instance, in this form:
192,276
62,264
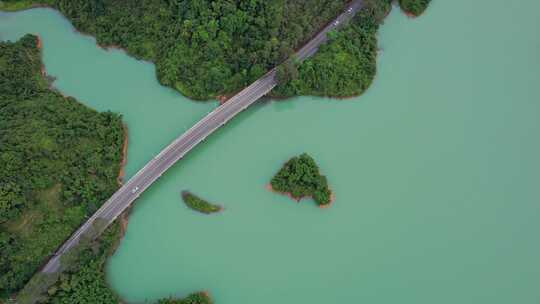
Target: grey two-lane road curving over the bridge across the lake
133,188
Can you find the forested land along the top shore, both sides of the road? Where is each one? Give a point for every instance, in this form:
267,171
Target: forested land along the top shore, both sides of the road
211,49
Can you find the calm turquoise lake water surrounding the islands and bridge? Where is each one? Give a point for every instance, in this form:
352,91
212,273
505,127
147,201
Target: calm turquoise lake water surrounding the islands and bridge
436,170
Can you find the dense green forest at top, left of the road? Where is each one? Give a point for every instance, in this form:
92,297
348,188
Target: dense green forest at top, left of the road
202,48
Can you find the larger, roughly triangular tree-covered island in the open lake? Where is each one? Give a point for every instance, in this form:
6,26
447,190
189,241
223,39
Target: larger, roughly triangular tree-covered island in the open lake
300,177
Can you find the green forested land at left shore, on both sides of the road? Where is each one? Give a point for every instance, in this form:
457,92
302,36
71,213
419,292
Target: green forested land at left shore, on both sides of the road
60,161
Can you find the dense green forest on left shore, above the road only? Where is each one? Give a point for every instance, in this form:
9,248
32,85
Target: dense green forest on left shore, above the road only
59,162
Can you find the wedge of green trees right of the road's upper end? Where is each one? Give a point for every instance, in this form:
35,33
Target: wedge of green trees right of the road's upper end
343,67
